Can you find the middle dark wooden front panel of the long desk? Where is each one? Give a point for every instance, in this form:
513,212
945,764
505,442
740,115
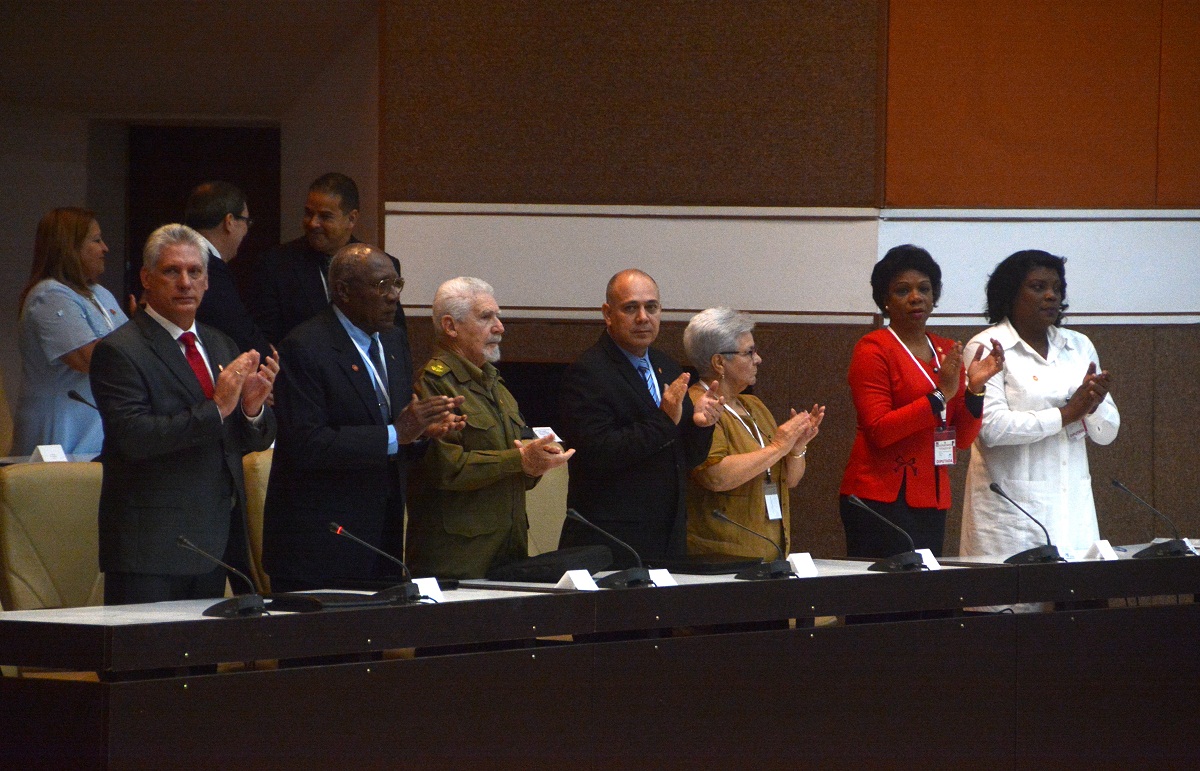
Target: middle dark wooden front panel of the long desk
868,696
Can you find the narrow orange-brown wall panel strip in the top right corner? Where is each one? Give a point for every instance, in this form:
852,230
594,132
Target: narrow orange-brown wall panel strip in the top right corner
1179,130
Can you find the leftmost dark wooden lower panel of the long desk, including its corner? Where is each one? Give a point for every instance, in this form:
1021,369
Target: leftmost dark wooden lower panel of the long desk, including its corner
477,712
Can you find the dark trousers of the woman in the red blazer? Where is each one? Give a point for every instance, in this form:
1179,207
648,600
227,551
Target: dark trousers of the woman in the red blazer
867,537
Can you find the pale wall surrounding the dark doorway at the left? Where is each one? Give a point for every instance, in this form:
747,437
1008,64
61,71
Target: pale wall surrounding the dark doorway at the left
56,158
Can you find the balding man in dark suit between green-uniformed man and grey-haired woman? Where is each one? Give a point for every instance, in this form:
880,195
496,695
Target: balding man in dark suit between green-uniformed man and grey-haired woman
637,434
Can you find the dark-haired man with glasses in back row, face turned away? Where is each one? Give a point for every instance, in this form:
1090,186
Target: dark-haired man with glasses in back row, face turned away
219,212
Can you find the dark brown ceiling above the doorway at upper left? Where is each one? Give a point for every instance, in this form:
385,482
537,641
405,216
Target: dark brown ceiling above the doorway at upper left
217,58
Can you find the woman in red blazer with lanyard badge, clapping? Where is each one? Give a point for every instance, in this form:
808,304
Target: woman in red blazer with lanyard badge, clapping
916,407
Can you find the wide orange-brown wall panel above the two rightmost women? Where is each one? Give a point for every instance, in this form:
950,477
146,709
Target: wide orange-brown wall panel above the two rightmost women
1023,104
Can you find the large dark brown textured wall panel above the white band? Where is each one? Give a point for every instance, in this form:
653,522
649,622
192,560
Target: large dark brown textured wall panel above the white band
633,103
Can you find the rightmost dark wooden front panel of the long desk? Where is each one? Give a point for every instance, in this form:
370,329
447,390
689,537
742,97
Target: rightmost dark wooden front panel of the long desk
1105,689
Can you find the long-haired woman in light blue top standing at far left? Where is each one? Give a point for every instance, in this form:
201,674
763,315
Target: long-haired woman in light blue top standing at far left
64,313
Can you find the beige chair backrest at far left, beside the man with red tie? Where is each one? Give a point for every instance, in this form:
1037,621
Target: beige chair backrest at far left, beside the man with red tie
50,536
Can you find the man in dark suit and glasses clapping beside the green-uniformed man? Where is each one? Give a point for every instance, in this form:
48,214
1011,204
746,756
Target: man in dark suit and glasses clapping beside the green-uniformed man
350,427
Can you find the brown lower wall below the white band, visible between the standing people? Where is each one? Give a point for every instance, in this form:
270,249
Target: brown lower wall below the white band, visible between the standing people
1154,372
